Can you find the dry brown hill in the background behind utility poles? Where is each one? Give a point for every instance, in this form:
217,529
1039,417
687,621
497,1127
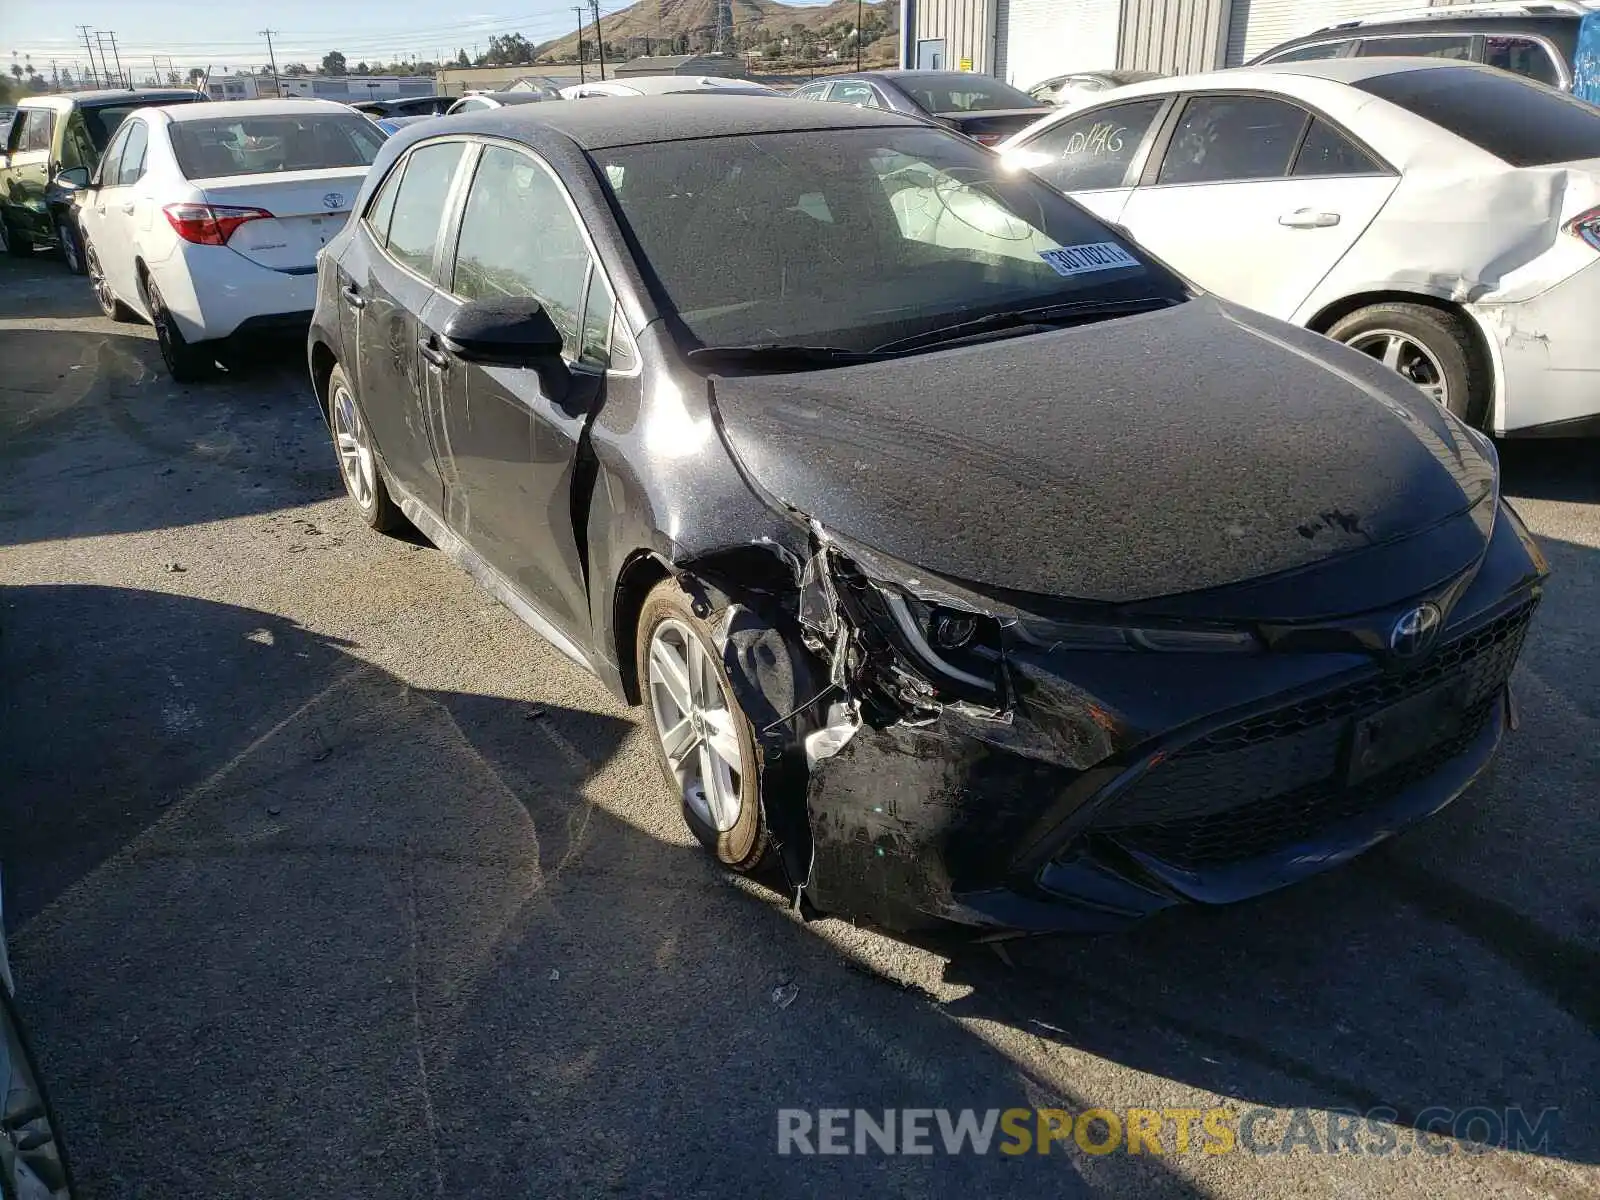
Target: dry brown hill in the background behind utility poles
762,28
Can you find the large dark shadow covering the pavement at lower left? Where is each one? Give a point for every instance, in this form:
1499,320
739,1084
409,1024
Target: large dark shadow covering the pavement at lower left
338,937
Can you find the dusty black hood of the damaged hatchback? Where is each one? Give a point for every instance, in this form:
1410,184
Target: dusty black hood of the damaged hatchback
1137,458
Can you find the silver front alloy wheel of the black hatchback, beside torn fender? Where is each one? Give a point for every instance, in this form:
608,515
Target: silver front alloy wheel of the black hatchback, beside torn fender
695,724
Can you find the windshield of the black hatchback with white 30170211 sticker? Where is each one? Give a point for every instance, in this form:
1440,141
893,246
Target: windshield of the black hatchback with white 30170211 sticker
860,238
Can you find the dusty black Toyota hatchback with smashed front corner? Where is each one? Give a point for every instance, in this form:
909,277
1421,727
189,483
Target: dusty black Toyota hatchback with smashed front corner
966,559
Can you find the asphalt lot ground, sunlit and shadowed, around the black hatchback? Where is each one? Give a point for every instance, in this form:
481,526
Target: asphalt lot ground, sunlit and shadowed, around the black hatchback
329,879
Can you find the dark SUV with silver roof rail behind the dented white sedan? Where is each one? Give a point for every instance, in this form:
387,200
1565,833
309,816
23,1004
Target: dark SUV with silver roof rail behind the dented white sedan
1556,42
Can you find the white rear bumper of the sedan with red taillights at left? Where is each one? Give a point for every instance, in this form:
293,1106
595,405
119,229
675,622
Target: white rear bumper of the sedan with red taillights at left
217,294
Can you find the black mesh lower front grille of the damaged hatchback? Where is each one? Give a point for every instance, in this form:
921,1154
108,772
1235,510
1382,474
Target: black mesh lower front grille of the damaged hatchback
1268,782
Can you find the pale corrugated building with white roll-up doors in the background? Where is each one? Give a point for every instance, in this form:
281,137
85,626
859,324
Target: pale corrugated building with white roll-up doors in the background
1028,41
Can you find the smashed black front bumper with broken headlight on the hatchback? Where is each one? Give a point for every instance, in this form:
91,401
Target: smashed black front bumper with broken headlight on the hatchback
1089,786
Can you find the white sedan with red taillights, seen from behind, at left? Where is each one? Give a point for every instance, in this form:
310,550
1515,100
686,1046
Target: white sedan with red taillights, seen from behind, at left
207,218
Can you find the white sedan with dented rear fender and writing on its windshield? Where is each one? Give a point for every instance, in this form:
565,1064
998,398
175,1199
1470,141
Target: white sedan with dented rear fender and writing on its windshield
1439,217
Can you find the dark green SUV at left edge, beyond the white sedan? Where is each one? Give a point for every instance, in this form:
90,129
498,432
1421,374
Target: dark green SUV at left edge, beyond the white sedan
50,135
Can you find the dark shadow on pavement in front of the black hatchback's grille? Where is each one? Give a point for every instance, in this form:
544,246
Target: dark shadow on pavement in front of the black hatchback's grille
1457,967
